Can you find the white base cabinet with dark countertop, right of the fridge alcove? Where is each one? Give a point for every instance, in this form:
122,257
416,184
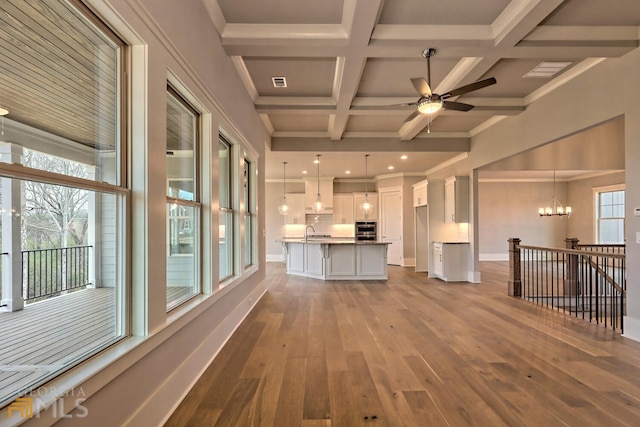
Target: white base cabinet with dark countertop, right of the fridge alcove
450,261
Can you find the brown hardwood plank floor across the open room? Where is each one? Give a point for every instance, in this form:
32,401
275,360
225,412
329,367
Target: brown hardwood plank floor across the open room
413,351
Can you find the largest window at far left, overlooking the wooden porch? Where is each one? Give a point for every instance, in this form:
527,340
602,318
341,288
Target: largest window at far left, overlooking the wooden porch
63,192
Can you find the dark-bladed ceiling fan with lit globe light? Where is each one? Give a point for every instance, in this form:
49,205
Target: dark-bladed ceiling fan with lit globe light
430,102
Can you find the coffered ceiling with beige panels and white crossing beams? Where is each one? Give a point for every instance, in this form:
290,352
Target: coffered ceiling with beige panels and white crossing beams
347,62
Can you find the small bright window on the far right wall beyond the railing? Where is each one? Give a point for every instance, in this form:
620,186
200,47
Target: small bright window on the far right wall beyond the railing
610,215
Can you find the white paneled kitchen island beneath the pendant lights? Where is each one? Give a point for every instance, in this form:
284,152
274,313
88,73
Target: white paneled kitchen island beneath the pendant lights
336,259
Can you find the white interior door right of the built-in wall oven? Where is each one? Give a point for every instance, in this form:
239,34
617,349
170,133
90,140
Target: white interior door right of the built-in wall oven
391,224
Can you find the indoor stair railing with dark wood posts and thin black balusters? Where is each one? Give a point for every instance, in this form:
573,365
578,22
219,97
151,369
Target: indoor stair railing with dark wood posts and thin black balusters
587,281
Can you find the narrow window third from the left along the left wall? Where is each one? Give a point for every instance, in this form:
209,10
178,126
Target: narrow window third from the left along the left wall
226,246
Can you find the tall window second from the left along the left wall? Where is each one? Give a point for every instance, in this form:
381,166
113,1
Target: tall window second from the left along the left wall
183,207
